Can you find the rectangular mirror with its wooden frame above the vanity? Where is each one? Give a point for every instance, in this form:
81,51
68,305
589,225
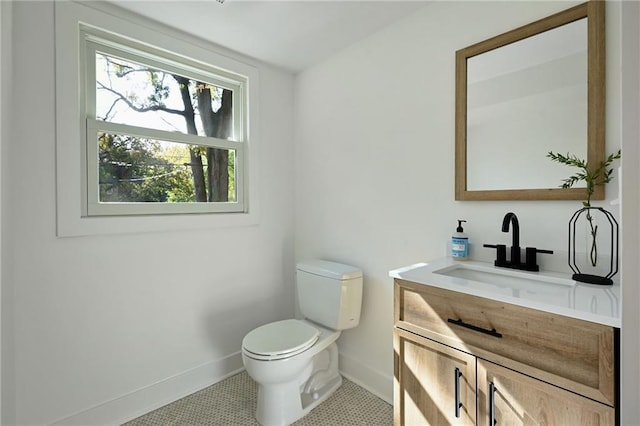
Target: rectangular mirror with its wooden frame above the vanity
521,94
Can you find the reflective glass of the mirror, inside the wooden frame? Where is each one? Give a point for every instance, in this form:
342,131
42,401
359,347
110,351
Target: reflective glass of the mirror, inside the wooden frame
538,82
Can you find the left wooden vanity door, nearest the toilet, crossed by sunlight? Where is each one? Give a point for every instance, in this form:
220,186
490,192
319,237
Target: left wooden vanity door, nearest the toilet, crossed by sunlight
433,384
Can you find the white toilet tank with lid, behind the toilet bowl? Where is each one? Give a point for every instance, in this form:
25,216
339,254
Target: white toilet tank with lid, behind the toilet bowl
329,293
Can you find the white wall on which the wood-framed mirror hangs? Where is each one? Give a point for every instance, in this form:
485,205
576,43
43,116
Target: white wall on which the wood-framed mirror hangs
374,131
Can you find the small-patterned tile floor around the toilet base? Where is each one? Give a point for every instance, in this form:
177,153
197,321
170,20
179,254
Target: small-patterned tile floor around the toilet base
232,402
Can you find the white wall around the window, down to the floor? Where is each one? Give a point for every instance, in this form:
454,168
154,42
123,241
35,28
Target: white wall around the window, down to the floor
107,327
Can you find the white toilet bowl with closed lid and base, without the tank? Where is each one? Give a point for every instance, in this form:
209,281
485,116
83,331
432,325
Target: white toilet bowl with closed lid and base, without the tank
295,371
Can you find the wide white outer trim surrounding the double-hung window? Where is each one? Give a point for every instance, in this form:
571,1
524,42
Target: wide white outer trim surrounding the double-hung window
70,147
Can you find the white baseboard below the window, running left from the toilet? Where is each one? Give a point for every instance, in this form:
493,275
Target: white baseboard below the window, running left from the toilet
127,407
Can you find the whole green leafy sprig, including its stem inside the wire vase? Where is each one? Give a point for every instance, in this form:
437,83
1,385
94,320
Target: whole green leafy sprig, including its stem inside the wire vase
598,176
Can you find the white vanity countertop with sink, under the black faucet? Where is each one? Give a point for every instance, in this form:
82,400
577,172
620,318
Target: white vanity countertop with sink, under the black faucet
595,303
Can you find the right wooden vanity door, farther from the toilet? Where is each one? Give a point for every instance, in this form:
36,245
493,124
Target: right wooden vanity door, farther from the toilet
506,397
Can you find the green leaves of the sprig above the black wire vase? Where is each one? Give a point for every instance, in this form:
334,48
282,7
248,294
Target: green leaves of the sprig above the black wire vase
592,177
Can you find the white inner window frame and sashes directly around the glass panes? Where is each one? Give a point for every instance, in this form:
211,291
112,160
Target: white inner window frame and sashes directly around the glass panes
98,41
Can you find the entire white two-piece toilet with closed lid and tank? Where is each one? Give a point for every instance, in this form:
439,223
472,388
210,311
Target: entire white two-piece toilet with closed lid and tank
295,361
